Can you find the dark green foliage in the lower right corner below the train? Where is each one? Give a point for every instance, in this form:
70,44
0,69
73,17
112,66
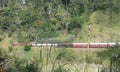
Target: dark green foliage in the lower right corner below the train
112,55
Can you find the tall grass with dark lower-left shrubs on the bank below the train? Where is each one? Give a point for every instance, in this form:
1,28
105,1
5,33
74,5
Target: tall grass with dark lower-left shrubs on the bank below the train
50,59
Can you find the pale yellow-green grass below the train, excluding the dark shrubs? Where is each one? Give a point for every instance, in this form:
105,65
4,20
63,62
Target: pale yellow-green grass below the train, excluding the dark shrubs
73,65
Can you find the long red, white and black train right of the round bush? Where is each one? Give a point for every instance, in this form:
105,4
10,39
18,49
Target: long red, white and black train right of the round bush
76,45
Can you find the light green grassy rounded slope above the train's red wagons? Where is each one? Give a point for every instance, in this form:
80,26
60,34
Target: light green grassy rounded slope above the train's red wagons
101,29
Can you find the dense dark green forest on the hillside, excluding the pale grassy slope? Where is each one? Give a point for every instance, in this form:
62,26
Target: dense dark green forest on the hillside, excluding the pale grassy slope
35,19
